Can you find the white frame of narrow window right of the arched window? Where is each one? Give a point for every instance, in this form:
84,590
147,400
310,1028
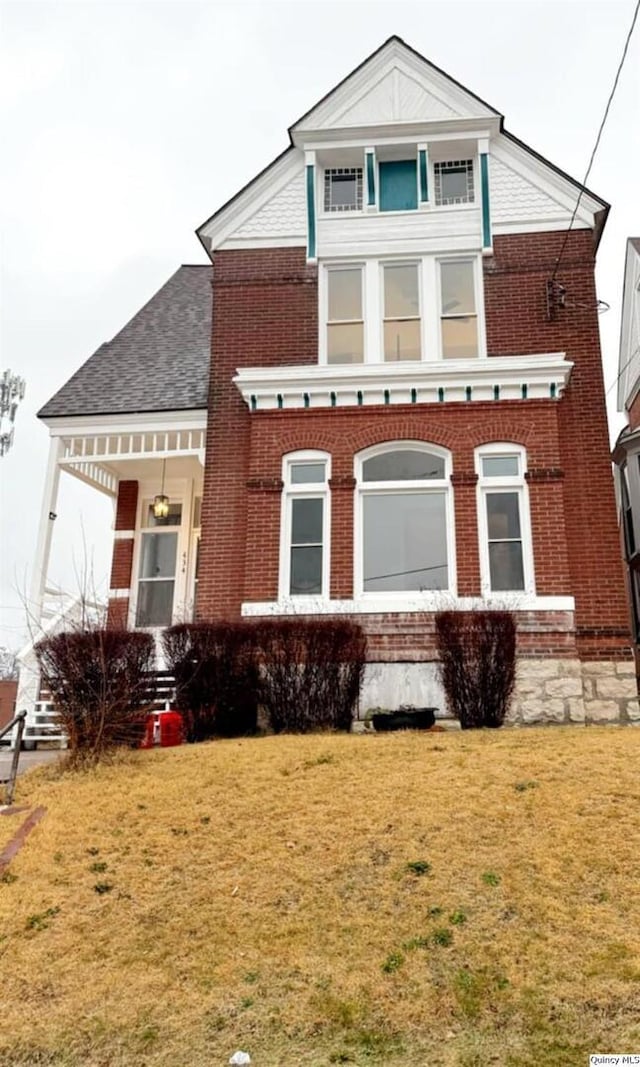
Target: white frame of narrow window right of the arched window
507,484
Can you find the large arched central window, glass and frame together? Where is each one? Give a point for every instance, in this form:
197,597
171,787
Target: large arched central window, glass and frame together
404,519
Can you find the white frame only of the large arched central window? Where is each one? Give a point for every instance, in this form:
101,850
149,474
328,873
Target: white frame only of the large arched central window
370,489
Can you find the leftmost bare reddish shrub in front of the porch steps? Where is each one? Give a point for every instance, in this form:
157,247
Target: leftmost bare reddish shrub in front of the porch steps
102,684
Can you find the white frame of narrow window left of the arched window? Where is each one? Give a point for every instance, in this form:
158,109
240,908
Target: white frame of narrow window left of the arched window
294,491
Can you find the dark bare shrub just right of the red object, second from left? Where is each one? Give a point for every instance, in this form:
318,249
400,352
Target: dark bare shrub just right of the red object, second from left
216,675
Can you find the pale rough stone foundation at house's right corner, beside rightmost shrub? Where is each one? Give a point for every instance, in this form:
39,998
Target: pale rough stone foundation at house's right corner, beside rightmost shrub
571,691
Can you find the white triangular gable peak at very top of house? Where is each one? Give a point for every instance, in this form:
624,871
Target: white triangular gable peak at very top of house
394,86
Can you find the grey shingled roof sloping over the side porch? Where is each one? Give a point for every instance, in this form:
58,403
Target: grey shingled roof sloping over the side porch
158,362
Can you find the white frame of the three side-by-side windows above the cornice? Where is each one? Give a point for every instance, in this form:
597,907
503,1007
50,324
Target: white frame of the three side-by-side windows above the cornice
430,300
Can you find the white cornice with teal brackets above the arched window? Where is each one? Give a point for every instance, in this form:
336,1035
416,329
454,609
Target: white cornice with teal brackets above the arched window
497,378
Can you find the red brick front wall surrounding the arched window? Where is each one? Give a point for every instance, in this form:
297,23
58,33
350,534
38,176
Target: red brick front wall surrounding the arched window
266,314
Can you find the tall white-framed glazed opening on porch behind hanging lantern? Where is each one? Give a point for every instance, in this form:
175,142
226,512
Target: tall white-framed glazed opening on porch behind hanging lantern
157,566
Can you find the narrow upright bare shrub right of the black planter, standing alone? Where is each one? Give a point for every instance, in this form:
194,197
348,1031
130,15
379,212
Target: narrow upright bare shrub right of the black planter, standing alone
477,665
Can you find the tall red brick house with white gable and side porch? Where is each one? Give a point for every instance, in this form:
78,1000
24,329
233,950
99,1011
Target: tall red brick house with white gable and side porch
405,409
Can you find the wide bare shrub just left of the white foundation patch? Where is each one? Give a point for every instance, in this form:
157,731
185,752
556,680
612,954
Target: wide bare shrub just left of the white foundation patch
311,673
